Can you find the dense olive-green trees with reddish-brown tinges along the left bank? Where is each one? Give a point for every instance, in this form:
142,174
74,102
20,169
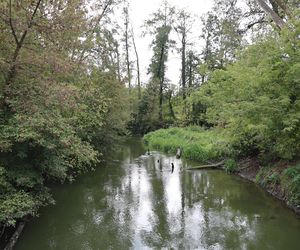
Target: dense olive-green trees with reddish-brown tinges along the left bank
57,112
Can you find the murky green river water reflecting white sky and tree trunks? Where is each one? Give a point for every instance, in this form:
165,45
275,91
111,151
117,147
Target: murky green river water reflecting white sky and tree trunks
136,202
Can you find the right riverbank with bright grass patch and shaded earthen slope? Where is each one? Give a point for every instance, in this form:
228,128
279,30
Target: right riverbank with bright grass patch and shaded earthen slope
280,178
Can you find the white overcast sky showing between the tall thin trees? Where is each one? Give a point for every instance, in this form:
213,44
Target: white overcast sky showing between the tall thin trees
140,10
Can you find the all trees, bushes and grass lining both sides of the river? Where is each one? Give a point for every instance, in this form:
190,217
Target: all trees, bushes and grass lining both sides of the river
70,87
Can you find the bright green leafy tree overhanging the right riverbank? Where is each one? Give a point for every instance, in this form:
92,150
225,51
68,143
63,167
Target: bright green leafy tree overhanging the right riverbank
256,100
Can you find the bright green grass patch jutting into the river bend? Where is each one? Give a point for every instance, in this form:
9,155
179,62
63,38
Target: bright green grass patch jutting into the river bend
196,143
